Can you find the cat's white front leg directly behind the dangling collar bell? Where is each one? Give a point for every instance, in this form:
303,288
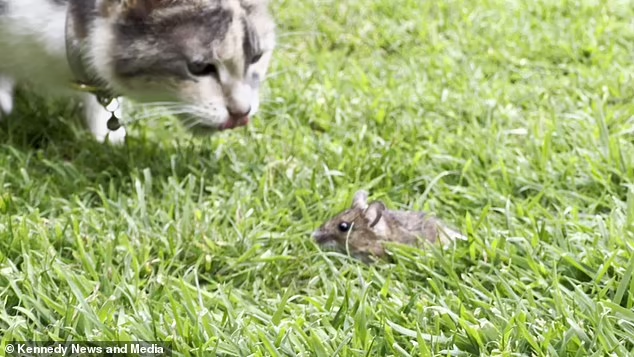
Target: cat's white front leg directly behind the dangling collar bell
97,119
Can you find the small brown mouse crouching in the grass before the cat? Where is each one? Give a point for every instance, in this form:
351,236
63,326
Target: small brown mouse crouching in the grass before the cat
362,229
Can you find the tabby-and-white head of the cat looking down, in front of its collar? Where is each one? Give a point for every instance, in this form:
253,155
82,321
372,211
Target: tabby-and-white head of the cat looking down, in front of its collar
208,55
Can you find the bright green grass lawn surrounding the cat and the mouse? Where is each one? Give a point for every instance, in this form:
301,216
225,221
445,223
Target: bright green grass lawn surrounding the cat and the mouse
512,120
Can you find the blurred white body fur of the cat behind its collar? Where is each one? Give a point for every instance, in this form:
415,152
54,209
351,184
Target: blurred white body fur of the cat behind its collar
32,43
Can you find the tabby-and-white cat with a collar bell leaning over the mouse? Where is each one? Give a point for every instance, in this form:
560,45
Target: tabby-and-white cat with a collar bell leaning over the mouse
203,59
